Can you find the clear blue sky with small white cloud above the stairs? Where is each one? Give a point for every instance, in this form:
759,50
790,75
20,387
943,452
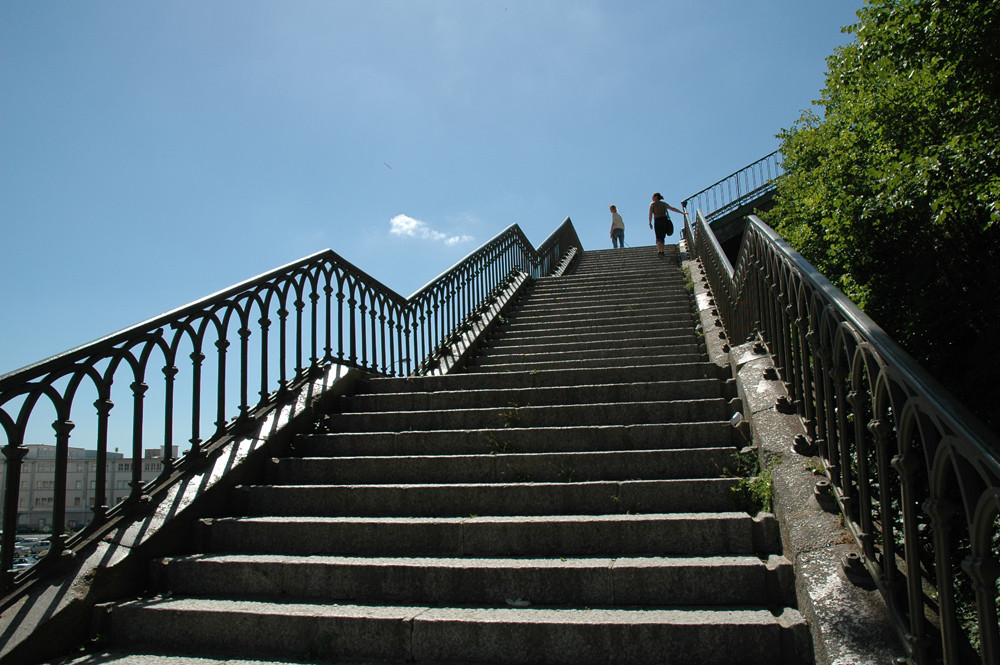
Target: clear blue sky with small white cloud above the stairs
154,152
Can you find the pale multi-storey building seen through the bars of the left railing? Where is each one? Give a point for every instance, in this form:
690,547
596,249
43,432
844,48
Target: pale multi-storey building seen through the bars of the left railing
37,491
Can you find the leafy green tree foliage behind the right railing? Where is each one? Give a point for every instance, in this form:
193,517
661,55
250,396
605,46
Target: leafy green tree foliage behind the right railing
893,192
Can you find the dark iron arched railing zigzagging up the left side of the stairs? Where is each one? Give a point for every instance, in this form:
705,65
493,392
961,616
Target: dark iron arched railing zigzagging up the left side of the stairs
287,325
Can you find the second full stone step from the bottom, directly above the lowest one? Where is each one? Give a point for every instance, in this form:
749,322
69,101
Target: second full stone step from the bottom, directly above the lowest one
593,581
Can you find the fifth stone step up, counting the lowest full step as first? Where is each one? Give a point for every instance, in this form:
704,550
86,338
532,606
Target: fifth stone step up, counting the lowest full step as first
487,468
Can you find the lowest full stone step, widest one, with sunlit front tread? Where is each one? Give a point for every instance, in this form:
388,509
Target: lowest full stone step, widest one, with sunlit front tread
419,633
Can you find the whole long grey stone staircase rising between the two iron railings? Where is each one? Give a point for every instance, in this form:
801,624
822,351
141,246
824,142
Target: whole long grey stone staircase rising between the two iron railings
560,501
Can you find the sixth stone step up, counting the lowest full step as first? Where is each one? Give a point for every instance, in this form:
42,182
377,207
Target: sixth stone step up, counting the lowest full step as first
522,440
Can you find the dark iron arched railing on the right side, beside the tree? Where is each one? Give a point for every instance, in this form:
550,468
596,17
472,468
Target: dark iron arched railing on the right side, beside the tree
916,476
